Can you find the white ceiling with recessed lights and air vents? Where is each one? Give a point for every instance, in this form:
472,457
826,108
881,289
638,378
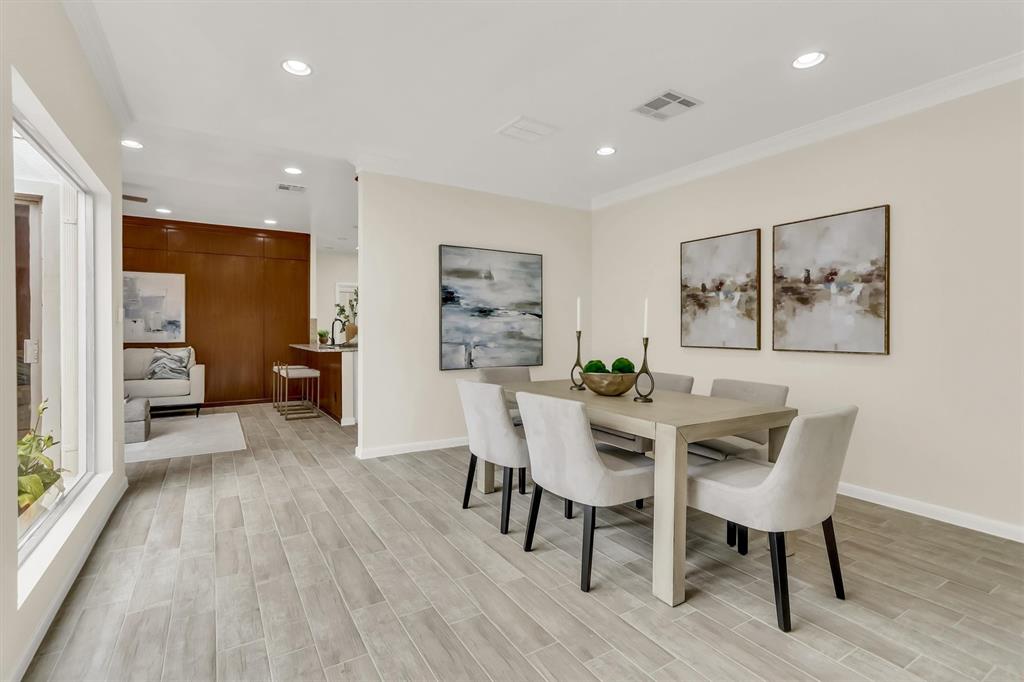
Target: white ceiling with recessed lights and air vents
420,89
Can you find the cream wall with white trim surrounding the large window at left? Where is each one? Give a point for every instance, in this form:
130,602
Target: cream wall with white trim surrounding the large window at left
61,94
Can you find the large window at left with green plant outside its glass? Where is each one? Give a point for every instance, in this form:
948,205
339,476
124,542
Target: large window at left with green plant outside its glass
54,293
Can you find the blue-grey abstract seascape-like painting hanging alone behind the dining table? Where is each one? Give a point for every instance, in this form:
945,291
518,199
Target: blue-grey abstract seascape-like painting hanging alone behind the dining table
492,309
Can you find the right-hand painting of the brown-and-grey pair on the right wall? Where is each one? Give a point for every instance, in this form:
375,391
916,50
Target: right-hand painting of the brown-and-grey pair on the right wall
831,283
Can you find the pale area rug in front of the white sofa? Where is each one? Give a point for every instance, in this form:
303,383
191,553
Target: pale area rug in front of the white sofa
185,437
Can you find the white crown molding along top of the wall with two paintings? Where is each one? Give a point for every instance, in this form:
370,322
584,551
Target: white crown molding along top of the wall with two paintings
952,88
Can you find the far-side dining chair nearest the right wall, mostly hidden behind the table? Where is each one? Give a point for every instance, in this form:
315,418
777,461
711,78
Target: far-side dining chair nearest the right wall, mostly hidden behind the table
747,445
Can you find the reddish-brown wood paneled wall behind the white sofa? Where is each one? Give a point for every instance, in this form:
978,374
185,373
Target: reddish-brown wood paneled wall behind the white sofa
247,296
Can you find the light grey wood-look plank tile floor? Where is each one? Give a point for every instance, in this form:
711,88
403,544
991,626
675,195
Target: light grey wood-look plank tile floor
293,561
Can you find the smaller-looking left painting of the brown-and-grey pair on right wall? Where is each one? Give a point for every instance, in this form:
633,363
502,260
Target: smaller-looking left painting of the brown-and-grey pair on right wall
720,291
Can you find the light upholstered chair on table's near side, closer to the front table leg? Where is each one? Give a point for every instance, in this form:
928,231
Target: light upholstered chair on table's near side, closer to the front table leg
567,462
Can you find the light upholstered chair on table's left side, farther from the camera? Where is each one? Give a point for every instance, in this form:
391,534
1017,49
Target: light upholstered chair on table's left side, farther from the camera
493,439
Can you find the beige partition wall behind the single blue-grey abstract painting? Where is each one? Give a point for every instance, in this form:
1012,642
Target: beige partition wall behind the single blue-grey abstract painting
407,402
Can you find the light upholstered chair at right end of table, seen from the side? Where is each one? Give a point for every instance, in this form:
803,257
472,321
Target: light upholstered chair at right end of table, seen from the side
798,492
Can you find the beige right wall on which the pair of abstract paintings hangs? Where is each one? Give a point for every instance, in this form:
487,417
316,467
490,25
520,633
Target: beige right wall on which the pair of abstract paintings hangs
941,417
